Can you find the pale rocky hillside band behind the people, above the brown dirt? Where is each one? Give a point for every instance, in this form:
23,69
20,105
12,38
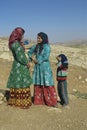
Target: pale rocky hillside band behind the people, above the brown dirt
76,56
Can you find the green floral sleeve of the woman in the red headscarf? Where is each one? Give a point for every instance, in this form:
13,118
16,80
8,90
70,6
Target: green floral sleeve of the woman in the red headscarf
19,53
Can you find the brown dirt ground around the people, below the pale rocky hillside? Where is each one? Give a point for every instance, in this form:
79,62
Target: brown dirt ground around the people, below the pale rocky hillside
43,117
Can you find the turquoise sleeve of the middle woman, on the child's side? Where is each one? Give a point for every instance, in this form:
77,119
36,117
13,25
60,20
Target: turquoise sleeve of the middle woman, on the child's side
45,55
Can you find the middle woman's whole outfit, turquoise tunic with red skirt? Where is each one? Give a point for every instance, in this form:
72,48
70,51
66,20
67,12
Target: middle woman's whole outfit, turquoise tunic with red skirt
44,90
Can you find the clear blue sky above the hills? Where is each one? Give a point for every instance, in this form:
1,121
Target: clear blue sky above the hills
62,20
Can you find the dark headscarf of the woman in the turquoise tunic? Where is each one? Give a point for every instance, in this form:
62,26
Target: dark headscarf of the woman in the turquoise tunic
39,46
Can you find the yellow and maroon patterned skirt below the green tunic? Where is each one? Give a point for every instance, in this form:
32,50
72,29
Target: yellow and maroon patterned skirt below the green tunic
20,97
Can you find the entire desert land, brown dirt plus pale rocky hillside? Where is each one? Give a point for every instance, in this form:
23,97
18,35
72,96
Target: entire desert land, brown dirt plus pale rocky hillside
44,117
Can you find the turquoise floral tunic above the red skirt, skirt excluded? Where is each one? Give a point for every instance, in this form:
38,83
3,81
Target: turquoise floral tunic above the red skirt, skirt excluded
42,74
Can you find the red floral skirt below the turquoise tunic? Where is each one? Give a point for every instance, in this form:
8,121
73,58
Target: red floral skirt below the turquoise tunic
45,95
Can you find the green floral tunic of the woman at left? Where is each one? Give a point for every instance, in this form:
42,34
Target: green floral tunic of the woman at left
19,75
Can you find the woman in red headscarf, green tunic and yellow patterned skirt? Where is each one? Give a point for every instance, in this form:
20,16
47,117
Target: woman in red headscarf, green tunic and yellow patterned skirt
19,80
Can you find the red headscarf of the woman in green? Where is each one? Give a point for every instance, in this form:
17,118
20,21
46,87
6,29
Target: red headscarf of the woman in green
16,35
